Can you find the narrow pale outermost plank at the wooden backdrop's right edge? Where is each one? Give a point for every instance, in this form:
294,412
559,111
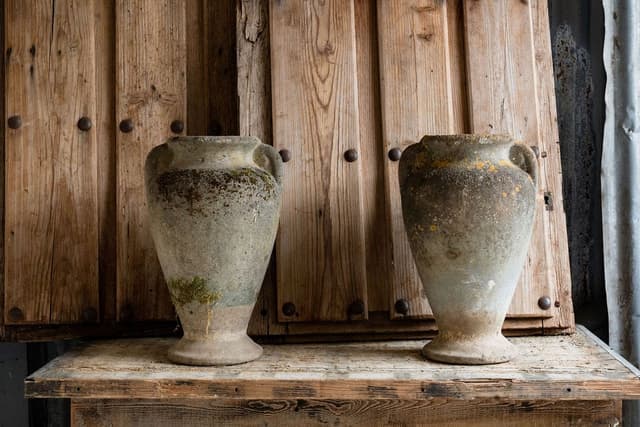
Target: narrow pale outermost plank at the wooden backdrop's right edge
554,228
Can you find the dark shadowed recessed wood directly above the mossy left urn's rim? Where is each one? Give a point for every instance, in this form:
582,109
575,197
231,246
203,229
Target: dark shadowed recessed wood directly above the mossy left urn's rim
212,94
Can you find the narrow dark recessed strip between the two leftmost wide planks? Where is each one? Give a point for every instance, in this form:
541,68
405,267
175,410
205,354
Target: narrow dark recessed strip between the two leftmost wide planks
105,125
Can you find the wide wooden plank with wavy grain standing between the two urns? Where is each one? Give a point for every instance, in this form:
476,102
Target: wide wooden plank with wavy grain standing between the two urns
320,251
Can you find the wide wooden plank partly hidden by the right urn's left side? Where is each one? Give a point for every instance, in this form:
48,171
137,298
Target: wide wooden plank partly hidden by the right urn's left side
417,98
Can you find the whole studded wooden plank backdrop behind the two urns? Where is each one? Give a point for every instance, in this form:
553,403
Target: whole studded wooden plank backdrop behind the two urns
313,78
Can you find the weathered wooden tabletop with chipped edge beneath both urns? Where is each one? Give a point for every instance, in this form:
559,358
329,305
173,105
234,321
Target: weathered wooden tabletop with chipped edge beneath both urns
575,367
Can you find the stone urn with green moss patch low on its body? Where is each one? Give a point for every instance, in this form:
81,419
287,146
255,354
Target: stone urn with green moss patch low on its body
214,205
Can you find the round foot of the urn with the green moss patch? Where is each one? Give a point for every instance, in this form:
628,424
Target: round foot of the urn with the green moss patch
215,351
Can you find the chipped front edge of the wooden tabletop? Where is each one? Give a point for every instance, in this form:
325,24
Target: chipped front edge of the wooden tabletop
492,388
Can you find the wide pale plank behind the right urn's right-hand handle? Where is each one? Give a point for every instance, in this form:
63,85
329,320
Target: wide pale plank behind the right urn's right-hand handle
503,98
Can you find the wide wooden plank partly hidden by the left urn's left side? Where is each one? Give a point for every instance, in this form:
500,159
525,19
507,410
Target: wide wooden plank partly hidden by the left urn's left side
151,92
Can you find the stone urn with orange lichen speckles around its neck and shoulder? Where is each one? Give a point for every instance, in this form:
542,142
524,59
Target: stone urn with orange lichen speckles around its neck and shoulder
468,205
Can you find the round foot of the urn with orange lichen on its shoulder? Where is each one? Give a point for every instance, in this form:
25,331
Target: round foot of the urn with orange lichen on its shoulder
478,350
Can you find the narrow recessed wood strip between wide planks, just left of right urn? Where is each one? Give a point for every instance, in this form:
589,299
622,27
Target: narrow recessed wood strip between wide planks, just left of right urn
378,247
